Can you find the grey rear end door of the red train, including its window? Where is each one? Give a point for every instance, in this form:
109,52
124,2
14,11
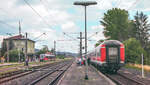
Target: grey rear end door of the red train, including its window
112,54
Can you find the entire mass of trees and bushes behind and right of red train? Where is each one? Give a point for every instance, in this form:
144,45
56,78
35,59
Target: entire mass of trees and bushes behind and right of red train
134,33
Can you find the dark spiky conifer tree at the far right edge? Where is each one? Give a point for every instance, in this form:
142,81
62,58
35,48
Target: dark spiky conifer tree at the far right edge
142,29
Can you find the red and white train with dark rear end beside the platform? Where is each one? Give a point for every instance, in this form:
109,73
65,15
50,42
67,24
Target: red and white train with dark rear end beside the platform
109,56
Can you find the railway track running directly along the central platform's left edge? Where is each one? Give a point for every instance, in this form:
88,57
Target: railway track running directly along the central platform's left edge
53,76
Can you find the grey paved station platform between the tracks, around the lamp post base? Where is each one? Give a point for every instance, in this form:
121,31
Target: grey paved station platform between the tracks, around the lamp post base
75,76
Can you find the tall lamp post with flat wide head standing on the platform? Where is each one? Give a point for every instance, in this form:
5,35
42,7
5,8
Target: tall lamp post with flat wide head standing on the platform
85,4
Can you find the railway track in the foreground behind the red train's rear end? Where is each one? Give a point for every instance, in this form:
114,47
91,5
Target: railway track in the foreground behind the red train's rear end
120,79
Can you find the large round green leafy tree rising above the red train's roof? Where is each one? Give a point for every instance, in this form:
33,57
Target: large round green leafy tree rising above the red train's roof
115,24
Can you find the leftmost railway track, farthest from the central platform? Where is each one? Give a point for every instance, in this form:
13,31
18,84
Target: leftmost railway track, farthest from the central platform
21,73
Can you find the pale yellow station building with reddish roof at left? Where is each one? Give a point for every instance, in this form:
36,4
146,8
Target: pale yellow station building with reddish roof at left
18,43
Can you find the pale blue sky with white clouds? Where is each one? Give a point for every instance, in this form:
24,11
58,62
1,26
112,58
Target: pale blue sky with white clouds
56,17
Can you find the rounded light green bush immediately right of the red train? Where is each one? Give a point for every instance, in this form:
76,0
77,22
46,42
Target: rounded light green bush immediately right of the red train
133,50
